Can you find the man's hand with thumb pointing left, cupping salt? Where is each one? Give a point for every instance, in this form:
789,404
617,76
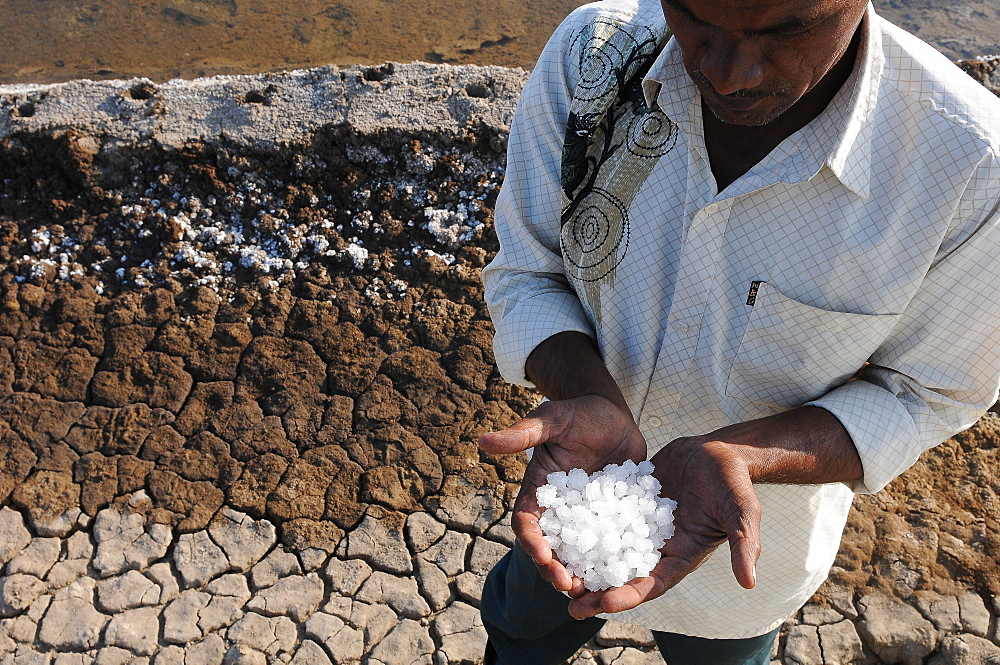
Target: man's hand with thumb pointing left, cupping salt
587,432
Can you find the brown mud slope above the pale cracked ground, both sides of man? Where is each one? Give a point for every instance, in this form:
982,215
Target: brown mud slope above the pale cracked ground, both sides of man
297,333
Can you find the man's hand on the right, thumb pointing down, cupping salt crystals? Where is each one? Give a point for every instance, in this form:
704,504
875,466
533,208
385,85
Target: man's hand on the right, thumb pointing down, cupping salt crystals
715,502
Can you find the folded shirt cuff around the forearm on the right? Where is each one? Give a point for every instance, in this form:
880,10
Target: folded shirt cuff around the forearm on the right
881,428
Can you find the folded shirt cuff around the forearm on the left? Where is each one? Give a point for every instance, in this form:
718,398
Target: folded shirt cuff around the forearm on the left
532,322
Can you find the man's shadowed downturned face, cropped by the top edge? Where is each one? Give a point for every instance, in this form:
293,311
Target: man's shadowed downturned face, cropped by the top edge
754,59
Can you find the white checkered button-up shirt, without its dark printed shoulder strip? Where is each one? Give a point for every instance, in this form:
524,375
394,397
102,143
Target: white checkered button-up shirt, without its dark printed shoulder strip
875,234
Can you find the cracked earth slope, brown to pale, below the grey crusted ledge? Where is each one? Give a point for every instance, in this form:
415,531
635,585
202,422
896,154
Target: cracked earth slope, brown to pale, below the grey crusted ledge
238,416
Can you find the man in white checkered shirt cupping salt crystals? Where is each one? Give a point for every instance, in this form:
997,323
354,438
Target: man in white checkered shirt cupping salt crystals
769,268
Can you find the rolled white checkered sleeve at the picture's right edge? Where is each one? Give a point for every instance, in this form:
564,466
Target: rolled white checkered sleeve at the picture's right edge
939,371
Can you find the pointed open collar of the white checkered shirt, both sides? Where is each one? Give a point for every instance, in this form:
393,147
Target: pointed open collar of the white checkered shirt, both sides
840,137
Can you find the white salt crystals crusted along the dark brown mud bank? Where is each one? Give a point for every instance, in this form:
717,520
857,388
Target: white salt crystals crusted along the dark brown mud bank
224,240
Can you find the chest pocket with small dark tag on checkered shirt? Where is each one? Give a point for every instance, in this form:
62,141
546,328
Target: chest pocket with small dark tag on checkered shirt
792,352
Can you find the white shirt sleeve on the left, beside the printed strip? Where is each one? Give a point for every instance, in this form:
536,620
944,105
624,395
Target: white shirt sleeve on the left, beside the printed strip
528,295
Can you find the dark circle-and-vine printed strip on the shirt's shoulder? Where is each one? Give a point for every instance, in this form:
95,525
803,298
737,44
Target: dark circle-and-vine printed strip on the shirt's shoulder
613,140
